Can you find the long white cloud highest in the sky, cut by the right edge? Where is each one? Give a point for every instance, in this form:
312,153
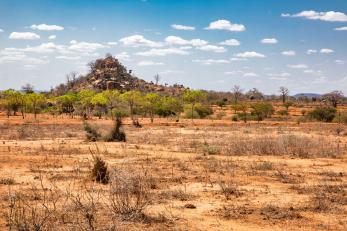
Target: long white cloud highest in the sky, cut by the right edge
329,16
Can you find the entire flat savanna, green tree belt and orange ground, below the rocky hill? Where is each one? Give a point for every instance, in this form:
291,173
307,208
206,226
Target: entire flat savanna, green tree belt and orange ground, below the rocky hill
128,160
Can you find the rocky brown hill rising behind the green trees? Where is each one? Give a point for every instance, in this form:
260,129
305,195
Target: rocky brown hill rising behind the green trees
109,73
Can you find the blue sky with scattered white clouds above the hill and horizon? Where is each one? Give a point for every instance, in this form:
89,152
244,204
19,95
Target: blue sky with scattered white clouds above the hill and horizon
206,44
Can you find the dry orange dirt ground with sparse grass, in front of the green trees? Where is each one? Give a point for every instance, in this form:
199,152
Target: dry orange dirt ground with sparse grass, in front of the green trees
210,175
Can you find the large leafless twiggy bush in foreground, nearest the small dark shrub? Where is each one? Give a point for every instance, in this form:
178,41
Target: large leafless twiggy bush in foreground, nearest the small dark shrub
128,194
